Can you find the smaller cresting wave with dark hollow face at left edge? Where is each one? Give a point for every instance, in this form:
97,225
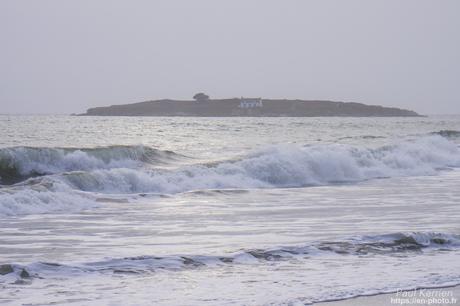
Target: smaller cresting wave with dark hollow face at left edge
19,163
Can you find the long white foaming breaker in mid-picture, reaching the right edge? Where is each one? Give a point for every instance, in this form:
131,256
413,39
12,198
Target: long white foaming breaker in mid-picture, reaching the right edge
280,166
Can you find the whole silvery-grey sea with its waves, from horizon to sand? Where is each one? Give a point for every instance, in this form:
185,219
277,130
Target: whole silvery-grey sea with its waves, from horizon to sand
225,211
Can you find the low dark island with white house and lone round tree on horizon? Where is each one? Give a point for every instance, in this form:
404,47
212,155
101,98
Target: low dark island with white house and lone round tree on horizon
203,106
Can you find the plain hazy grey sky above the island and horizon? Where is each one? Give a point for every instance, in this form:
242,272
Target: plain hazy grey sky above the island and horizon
65,56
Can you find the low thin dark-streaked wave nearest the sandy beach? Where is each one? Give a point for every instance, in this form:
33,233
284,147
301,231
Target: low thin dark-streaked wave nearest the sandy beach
384,245
